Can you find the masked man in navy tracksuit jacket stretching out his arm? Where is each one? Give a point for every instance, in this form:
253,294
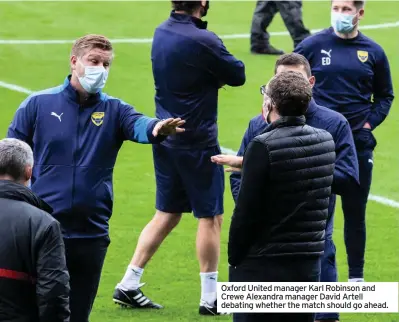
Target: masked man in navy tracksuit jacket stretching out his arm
75,132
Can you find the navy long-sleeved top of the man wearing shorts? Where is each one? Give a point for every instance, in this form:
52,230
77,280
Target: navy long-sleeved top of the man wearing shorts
190,64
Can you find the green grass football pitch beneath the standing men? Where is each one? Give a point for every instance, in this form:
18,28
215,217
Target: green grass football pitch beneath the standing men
172,276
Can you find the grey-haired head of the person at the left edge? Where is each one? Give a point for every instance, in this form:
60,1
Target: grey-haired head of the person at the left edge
16,161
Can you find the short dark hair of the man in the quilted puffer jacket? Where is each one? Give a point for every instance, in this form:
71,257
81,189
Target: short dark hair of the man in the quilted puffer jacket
290,93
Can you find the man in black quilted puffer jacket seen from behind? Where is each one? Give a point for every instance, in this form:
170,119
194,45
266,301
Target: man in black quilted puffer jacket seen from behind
278,227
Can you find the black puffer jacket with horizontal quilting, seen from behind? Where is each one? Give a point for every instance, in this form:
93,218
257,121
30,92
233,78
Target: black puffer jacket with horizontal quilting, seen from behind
283,201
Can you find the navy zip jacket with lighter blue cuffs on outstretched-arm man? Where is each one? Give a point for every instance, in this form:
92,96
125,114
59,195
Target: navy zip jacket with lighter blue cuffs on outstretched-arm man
75,148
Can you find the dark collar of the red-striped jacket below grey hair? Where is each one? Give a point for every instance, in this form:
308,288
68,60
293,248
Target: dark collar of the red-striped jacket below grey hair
16,191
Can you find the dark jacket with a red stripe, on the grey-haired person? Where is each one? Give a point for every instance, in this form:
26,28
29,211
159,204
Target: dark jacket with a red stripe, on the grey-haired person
34,281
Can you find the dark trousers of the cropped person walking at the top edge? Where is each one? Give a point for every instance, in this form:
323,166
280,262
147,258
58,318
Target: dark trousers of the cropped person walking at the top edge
291,12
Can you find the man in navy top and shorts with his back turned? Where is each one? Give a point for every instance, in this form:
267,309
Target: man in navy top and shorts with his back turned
189,65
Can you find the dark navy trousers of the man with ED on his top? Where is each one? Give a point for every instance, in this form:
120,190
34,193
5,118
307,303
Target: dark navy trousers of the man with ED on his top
354,205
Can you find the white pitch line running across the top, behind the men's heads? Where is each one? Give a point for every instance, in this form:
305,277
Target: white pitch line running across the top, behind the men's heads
149,40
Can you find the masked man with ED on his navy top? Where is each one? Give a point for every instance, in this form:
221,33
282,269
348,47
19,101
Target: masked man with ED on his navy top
350,69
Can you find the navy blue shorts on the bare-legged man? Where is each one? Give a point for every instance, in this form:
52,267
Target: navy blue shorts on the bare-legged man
187,181
